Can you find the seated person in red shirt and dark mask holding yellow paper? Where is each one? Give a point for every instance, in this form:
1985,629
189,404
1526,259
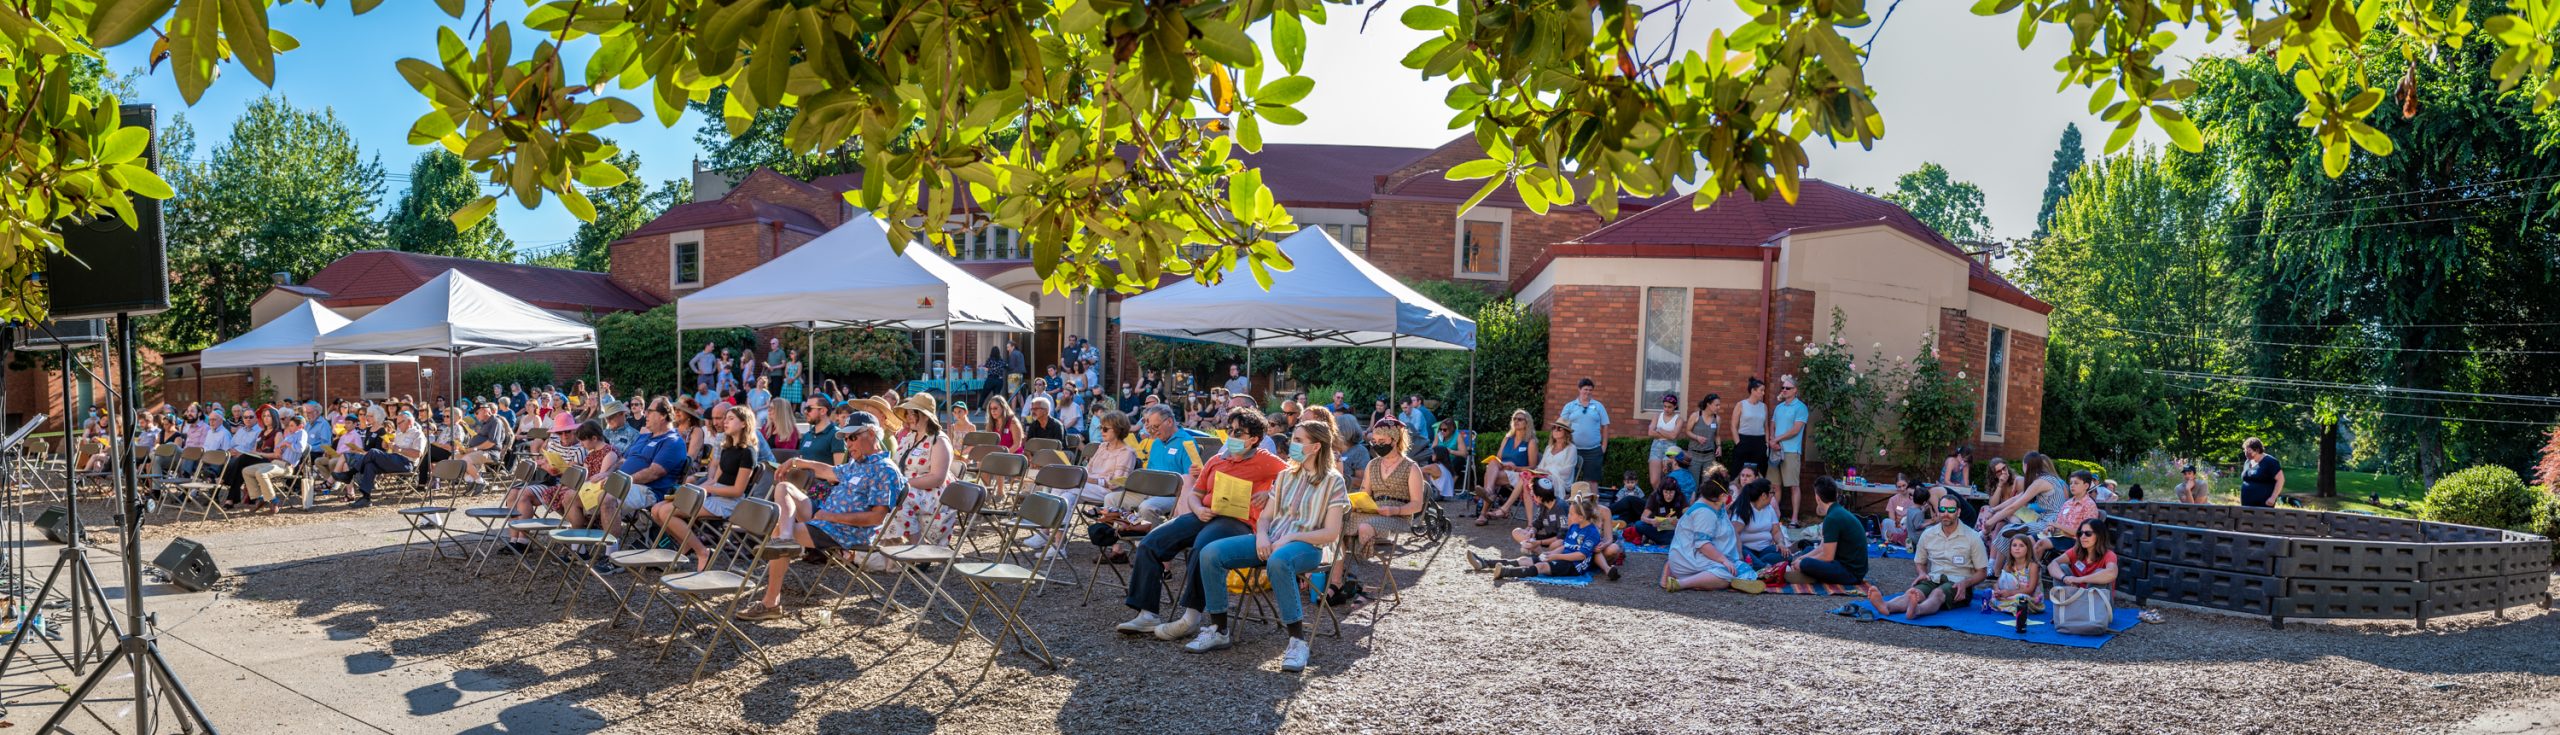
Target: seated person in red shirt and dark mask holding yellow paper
1222,503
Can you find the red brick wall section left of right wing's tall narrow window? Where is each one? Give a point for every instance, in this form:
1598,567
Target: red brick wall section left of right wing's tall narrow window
1588,337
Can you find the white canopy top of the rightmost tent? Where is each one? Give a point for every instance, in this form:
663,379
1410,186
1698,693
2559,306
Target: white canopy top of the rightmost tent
1332,298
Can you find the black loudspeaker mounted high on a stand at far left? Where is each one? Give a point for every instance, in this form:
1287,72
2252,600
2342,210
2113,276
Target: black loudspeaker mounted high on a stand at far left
109,268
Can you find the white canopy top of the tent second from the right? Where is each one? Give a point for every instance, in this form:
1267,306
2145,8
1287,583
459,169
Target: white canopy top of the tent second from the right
851,278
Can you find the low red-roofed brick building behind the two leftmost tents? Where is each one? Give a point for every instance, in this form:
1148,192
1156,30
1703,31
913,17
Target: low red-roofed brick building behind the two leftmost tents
365,280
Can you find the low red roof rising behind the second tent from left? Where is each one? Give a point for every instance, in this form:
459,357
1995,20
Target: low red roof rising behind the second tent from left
378,278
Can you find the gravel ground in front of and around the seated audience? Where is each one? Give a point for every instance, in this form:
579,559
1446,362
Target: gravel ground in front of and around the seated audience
1455,657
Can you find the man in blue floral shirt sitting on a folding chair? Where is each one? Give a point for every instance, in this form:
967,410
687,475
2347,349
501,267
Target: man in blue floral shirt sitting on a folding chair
849,513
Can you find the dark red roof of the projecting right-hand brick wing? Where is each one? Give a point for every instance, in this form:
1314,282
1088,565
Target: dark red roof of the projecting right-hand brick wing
1742,222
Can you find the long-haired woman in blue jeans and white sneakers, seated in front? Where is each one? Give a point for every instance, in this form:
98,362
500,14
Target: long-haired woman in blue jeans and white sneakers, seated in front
1302,516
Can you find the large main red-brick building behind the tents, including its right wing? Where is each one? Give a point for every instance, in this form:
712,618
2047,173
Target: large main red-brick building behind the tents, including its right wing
1719,293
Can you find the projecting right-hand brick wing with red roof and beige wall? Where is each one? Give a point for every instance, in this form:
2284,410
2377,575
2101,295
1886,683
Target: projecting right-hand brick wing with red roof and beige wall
1704,301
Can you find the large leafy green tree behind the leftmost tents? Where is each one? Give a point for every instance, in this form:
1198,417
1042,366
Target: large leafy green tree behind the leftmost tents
285,196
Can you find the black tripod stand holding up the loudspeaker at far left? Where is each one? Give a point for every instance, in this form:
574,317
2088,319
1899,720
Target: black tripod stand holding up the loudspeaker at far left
137,647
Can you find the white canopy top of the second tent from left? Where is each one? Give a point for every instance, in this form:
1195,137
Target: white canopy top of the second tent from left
460,316
